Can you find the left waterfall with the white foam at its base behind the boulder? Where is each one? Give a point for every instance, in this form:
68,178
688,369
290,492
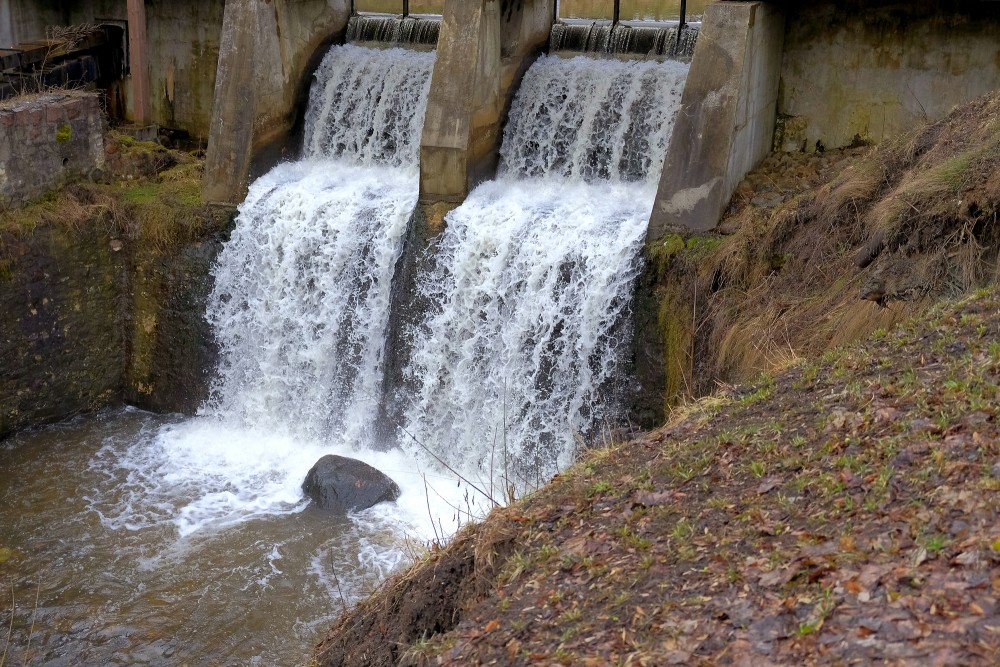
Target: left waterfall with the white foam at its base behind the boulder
300,306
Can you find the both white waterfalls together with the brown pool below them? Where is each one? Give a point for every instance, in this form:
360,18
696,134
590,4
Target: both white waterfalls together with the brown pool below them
195,530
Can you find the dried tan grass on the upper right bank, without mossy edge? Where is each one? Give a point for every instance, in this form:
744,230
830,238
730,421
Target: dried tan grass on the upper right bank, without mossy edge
913,221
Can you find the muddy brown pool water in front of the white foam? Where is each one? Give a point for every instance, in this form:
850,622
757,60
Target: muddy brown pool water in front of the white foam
118,587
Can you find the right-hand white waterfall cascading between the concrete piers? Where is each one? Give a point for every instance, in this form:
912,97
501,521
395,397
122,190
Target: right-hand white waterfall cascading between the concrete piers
532,281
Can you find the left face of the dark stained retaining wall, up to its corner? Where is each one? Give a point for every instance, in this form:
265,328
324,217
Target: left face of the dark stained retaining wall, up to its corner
62,342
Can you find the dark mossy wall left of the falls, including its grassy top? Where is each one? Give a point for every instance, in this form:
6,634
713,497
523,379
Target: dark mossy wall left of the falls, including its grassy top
102,291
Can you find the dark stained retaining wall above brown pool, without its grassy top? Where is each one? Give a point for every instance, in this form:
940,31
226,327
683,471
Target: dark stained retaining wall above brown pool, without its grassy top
91,318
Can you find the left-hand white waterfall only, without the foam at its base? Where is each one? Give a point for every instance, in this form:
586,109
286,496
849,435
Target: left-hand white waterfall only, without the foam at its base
301,299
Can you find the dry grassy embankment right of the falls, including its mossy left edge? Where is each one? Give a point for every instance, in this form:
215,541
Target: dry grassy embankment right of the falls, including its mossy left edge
814,239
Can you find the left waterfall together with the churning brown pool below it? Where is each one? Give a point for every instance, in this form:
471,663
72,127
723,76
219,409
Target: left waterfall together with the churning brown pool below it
187,541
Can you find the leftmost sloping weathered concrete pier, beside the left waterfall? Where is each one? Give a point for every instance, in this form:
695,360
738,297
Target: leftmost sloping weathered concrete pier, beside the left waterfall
268,54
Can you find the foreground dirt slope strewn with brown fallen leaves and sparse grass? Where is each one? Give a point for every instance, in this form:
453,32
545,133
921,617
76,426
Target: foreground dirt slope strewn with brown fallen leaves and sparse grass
845,511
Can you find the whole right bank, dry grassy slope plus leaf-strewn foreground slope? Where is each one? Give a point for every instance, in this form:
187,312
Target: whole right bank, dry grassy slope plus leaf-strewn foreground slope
841,511
